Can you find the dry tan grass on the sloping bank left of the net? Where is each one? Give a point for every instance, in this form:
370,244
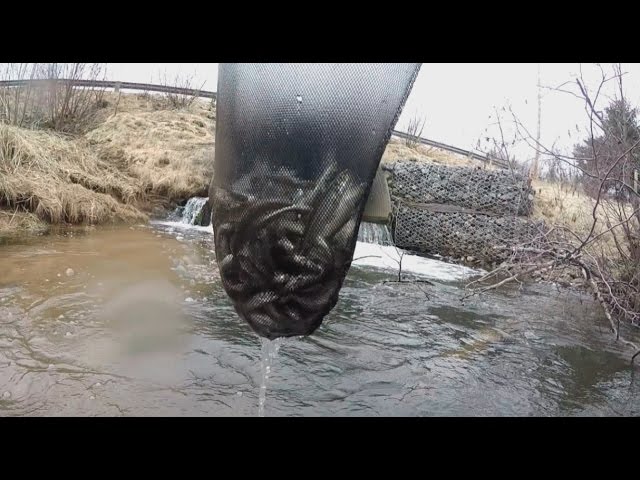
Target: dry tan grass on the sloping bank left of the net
143,153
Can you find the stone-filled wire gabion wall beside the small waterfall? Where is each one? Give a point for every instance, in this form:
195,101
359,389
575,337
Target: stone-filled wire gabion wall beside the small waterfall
459,211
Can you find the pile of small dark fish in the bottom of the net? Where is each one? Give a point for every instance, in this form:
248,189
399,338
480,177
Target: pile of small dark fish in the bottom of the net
284,246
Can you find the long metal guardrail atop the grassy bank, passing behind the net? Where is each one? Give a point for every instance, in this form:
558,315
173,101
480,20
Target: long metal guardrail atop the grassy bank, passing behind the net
148,87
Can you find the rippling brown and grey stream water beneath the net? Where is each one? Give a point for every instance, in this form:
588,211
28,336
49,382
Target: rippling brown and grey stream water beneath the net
134,321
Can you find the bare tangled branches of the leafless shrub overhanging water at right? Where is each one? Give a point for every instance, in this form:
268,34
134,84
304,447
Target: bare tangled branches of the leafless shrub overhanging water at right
607,161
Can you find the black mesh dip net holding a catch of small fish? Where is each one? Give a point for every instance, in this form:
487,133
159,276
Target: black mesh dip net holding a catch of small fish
297,149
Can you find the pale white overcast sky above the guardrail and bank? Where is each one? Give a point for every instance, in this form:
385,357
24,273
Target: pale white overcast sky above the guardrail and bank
458,99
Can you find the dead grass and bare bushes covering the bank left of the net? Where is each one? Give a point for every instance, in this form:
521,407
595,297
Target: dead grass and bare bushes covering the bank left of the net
78,156
